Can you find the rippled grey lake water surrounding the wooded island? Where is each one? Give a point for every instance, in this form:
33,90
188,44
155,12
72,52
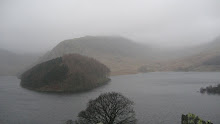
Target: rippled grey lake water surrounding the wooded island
160,98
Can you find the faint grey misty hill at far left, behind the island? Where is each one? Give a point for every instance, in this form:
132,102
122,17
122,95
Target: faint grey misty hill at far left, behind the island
12,63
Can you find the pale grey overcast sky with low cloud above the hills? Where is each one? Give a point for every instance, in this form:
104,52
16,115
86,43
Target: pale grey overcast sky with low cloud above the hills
38,25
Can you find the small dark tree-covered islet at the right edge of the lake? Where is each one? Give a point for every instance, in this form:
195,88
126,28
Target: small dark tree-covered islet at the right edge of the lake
211,89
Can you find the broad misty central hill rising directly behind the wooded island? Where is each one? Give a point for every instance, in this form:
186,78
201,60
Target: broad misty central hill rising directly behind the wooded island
121,55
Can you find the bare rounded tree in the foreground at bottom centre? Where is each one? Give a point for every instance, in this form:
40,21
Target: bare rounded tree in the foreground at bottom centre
108,108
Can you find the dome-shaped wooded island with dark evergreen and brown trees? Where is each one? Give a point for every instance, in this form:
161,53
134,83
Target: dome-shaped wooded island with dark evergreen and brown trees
70,73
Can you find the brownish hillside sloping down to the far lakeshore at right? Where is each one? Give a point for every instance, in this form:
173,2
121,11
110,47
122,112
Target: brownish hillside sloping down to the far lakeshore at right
205,57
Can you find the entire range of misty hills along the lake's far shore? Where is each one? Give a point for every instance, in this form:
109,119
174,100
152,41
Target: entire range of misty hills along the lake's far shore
121,55
